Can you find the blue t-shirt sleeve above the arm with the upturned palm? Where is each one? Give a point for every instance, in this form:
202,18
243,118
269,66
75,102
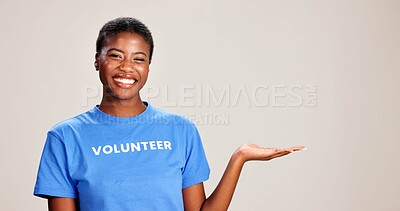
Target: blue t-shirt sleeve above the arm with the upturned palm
196,169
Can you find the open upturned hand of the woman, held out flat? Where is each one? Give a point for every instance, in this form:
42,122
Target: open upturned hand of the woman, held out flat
254,152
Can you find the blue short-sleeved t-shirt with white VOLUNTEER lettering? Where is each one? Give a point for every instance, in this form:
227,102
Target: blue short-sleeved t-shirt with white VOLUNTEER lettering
122,163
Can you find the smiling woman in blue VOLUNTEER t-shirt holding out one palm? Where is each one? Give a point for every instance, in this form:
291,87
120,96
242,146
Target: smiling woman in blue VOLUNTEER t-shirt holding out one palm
125,154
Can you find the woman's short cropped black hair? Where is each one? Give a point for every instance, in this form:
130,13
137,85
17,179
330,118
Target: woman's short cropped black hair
124,24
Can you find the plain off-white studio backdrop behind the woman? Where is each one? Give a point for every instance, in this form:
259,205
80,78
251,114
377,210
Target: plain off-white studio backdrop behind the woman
349,50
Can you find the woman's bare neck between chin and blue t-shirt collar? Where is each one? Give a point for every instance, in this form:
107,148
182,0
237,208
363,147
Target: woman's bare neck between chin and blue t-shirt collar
122,108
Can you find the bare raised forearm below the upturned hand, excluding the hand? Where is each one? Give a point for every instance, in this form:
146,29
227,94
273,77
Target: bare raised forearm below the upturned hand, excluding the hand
223,193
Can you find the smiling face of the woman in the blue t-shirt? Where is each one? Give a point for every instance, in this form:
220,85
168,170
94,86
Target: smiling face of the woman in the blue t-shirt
123,65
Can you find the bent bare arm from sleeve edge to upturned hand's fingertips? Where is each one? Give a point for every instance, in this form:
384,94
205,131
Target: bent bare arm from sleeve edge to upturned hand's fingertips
220,199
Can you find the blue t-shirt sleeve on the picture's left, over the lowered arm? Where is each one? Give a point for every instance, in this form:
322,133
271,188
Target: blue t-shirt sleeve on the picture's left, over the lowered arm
53,178
